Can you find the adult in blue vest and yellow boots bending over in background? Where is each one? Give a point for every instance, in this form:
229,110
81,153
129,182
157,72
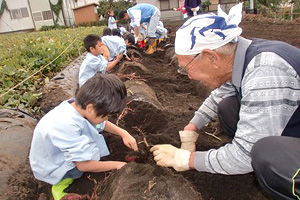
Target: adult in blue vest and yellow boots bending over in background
139,14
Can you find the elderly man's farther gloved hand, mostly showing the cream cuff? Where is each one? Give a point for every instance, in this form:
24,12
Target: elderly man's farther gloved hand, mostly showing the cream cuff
188,140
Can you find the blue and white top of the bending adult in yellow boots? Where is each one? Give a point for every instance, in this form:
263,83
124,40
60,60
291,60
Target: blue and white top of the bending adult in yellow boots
141,13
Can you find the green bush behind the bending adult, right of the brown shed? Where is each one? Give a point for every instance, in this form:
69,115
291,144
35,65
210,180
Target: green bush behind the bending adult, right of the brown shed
116,6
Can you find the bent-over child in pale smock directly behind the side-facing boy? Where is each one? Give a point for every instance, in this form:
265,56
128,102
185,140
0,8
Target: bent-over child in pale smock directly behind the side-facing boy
117,45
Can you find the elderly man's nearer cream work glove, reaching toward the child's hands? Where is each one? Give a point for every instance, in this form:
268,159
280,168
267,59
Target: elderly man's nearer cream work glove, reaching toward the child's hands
167,155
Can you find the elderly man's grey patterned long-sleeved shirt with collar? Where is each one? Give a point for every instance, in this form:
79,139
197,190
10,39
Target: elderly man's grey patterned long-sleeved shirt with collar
269,87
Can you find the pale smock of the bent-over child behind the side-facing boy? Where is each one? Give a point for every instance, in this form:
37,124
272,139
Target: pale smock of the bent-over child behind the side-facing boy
115,45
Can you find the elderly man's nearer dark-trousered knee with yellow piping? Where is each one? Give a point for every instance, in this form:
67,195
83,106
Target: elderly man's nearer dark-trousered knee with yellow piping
276,162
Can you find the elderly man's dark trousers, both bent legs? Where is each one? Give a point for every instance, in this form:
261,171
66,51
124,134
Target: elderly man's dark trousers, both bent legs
275,160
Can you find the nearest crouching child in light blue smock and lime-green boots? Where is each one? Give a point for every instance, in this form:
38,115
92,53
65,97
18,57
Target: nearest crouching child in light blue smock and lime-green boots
66,142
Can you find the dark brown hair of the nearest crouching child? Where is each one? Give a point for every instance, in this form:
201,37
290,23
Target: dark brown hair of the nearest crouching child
106,92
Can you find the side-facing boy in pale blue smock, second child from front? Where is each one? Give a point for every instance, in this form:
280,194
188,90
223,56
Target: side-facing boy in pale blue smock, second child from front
94,61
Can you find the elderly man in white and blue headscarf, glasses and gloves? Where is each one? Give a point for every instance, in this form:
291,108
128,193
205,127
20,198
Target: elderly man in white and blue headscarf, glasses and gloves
256,97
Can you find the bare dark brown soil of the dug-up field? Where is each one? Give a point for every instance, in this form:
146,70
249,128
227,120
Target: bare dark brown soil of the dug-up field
179,97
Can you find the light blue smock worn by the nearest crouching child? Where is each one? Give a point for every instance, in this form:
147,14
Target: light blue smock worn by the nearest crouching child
62,137
